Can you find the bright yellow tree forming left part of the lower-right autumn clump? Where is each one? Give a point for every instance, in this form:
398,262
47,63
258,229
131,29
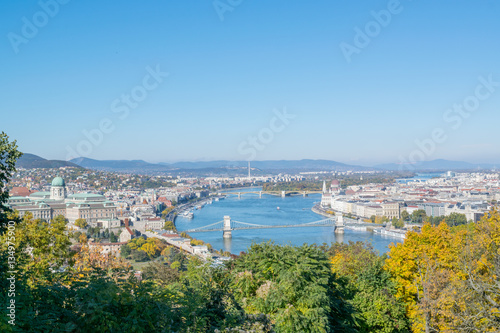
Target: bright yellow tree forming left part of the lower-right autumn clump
424,268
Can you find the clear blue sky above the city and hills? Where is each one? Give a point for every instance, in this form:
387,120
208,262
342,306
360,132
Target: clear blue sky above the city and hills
359,98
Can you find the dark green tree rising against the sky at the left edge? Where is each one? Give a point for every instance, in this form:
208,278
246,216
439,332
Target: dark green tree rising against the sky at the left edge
8,157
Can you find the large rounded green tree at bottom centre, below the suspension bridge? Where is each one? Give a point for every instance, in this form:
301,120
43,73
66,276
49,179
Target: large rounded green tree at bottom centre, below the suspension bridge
294,285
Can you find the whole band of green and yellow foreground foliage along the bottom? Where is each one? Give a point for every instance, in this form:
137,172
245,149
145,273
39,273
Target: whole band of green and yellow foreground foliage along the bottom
444,279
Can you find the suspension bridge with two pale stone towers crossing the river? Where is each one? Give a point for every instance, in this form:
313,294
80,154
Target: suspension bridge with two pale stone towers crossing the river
227,226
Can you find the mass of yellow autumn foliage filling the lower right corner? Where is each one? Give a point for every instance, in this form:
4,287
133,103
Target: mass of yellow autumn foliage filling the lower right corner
448,277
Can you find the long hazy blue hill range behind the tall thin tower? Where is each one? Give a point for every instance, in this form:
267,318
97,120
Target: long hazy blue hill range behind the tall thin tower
215,166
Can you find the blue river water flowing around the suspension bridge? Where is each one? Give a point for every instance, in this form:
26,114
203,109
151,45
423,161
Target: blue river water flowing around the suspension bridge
252,209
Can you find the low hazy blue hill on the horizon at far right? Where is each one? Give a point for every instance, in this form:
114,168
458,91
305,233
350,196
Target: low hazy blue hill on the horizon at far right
435,165
